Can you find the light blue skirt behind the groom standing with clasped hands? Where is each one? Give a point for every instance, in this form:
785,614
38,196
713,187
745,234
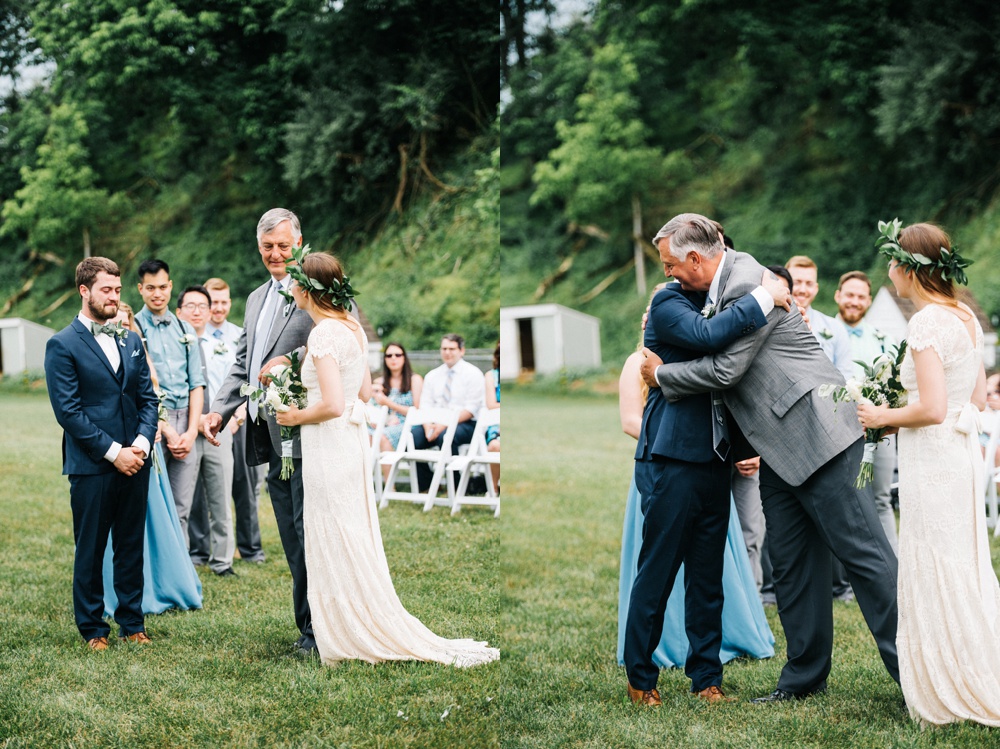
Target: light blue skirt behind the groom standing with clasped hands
169,577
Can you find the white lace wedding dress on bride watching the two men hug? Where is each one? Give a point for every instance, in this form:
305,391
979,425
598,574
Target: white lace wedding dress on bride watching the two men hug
949,601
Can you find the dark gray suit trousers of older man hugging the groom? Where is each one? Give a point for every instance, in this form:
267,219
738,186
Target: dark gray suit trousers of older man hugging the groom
826,513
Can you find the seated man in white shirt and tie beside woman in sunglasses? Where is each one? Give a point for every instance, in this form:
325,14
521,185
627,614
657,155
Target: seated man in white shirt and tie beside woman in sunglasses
456,385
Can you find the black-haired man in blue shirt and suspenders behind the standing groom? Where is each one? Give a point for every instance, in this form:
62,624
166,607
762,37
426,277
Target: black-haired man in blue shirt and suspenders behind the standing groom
172,345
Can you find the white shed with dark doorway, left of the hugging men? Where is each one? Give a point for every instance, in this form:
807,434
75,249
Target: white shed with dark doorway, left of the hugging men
546,338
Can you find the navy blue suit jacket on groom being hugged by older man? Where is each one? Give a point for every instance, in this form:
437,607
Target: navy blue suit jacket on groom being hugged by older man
677,331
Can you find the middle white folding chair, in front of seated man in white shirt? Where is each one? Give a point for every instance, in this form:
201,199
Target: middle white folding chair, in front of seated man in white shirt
407,456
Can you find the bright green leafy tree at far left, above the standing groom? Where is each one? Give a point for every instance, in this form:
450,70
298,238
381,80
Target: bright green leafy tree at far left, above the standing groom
61,202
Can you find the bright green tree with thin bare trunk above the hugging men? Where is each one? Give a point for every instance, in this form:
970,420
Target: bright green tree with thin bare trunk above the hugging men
604,161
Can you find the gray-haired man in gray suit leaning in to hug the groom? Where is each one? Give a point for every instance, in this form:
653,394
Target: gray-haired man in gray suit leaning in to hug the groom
810,452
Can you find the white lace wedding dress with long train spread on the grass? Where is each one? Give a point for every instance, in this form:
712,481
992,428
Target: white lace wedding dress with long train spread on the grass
355,611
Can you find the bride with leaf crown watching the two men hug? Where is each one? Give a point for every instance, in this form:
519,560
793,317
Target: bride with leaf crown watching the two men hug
949,599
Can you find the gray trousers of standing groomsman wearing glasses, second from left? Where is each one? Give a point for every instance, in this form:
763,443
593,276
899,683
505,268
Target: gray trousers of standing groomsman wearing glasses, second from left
210,527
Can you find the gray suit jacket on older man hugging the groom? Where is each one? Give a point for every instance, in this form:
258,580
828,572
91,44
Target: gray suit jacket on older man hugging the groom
770,379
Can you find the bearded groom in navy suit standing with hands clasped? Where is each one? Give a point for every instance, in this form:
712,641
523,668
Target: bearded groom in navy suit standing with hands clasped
103,398
